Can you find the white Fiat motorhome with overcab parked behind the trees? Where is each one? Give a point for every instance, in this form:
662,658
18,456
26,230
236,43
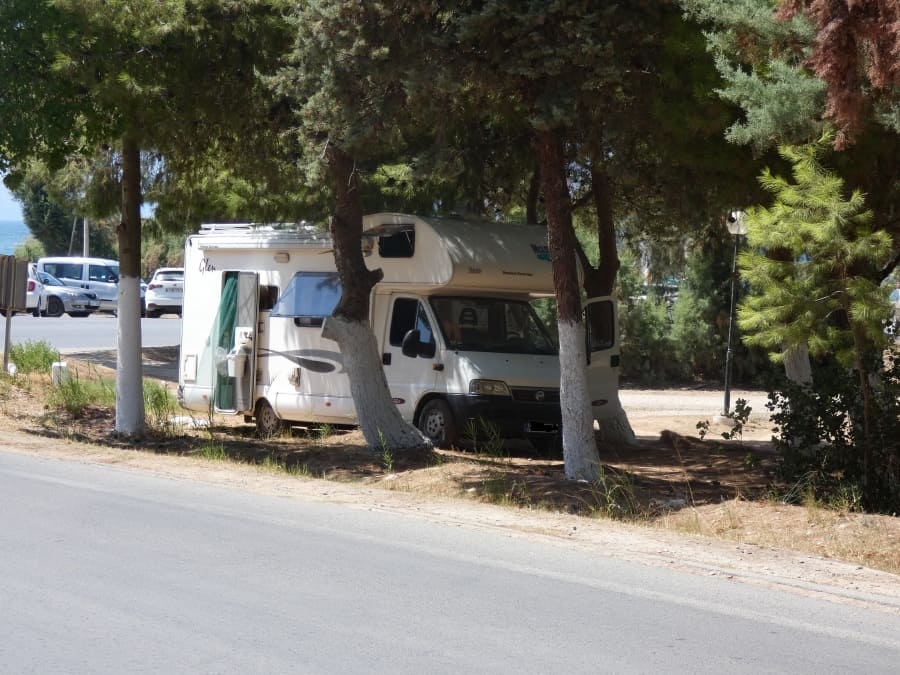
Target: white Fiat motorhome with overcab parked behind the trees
462,346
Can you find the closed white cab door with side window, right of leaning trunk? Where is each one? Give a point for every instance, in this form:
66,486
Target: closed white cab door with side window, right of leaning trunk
408,376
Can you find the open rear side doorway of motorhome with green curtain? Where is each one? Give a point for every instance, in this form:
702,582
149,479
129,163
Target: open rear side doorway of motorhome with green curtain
233,342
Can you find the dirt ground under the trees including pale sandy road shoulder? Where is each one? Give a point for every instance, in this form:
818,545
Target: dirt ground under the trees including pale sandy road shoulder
712,506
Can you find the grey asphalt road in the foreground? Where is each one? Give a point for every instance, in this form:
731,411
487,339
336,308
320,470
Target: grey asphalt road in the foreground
107,571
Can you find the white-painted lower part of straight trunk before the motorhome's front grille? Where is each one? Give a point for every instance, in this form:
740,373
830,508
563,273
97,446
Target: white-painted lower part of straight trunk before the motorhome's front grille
582,461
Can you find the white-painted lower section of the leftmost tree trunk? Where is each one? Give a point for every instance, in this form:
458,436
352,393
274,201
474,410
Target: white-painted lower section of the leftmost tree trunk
129,373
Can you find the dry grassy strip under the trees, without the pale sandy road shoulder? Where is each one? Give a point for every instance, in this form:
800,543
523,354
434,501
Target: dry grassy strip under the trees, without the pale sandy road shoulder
674,482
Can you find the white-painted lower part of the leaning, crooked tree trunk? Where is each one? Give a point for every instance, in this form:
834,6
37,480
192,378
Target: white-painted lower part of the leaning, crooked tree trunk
379,419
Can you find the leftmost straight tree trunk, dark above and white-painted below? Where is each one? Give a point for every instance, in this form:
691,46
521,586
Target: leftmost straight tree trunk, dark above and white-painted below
129,374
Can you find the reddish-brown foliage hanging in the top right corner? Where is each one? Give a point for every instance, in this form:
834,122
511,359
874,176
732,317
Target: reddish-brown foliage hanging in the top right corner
857,53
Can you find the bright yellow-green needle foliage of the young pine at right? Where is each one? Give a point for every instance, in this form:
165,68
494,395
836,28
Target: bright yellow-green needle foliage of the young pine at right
811,264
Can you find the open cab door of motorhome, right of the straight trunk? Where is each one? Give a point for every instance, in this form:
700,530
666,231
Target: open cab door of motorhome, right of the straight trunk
603,355
